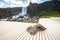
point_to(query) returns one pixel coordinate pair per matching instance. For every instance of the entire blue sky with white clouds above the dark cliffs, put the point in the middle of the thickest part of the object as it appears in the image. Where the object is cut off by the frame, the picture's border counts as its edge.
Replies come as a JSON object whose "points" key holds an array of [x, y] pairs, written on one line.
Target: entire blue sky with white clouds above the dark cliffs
{"points": [[18, 3]]}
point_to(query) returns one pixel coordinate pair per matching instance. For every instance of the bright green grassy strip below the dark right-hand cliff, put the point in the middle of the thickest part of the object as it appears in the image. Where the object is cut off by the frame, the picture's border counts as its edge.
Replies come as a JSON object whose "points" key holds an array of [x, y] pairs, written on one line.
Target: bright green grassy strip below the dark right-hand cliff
{"points": [[45, 14]]}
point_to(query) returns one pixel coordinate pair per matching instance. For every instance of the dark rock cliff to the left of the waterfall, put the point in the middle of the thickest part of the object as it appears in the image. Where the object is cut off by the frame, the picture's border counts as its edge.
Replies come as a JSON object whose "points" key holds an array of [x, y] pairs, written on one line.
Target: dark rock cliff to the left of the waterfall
{"points": [[9, 12]]}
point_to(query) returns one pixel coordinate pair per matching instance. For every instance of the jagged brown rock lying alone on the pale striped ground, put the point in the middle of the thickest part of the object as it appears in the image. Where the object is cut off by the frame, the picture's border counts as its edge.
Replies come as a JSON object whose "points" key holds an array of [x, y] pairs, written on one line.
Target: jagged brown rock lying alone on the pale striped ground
{"points": [[33, 30]]}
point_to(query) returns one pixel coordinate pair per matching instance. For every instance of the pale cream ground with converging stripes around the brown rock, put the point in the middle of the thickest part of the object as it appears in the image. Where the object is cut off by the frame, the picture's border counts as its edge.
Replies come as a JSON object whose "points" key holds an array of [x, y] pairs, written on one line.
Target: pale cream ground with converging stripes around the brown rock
{"points": [[17, 30]]}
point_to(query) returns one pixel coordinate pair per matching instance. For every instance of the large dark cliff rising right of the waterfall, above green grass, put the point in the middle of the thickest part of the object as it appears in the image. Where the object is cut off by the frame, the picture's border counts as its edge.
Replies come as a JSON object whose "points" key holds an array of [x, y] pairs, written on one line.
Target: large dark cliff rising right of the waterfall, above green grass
{"points": [[50, 6]]}
